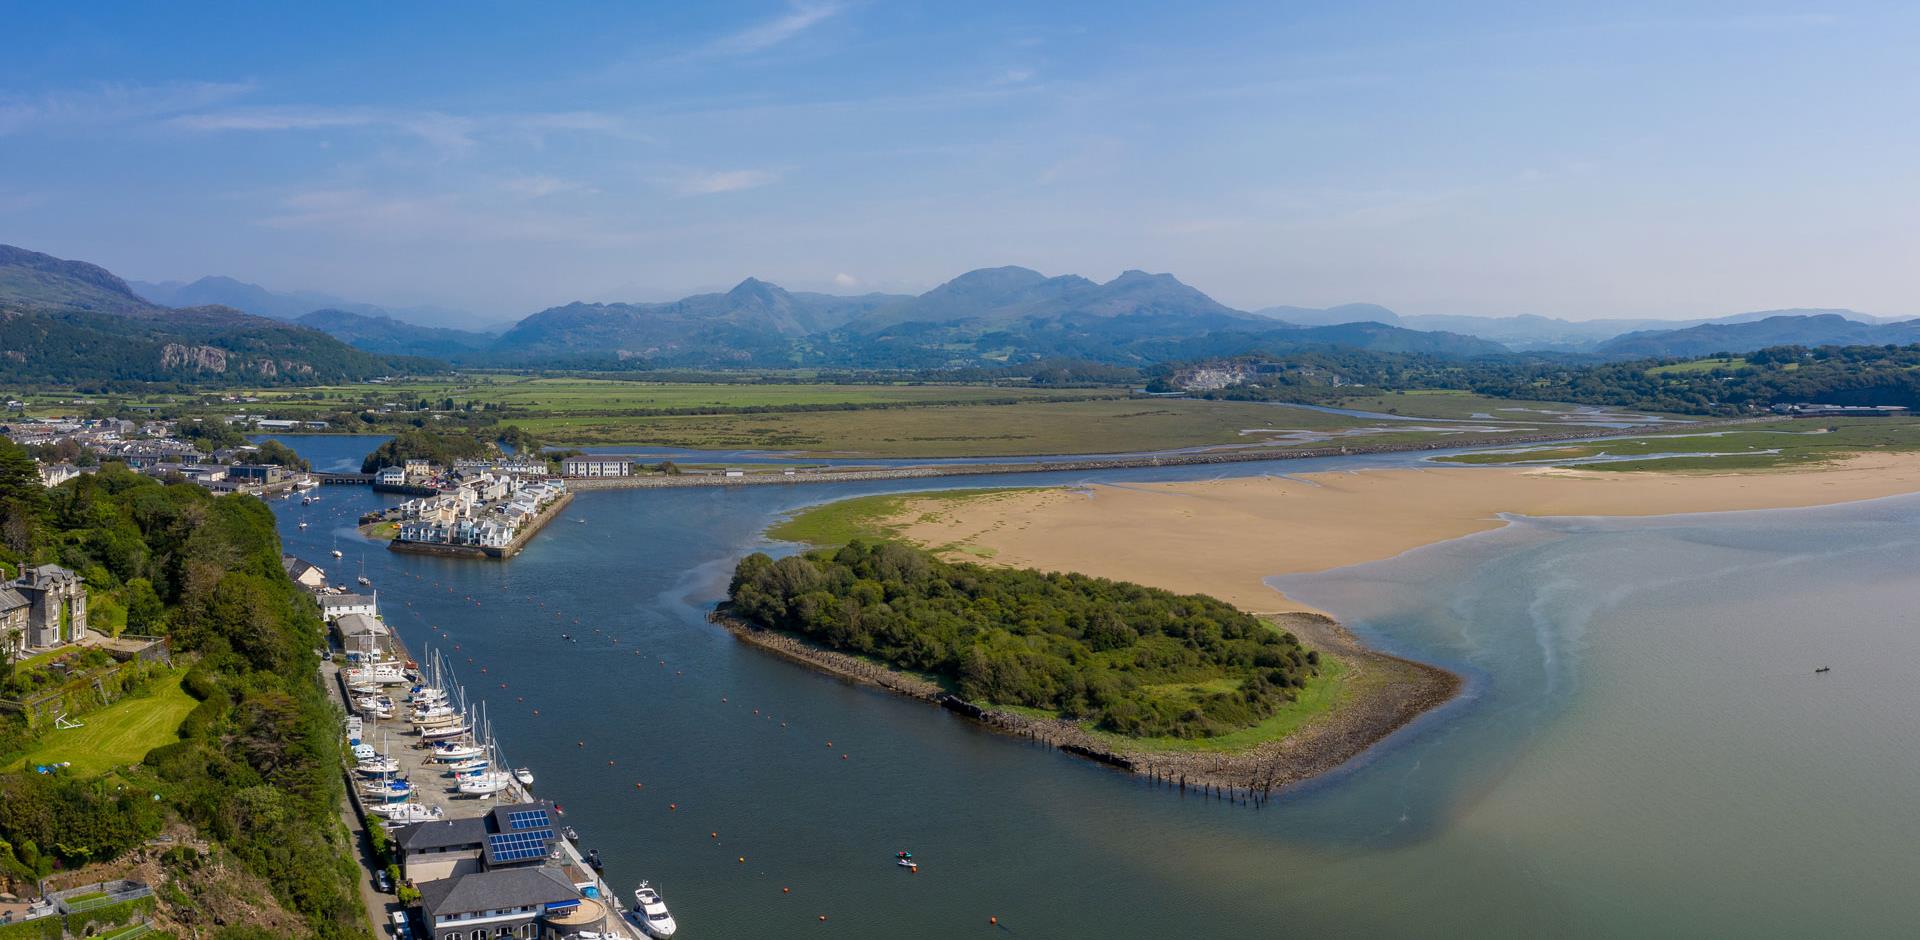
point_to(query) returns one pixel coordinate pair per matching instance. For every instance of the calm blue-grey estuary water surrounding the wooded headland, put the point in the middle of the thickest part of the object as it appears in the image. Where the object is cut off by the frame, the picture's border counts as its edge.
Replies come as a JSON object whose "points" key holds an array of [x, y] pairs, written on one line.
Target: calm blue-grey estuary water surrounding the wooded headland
{"points": [[1644, 747]]}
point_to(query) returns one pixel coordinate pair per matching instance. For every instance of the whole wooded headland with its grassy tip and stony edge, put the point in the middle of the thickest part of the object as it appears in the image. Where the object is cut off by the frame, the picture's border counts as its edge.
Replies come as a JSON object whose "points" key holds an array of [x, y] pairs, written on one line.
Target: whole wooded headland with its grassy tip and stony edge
{"points": [[1184, 688]]}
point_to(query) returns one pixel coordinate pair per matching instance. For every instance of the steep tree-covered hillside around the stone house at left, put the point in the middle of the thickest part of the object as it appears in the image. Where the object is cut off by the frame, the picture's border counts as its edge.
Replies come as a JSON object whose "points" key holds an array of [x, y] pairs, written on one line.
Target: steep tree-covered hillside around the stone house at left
{"points": [[256, 768]]}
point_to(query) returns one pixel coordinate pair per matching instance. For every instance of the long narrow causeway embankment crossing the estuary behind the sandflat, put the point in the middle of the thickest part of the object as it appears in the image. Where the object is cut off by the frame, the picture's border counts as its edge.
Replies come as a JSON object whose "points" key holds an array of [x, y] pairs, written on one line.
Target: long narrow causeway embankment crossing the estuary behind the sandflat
{"points": [[1130, 461]]}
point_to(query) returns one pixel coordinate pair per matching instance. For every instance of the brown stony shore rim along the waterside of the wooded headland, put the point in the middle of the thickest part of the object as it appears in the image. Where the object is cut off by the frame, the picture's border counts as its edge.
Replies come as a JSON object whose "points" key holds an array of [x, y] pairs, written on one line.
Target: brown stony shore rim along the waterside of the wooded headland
{"points": [[1370, 713]]}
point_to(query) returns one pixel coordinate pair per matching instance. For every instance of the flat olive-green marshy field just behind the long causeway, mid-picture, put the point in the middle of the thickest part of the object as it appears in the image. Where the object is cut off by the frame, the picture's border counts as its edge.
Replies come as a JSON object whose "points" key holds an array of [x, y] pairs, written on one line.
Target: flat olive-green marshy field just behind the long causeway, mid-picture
{"points": [[961, 431]]}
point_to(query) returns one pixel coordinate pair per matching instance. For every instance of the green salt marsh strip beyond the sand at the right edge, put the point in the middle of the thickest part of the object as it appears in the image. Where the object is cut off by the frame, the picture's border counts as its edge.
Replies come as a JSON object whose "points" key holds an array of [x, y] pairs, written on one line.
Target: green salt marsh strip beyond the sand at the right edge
{"points": [[1804, 442]]}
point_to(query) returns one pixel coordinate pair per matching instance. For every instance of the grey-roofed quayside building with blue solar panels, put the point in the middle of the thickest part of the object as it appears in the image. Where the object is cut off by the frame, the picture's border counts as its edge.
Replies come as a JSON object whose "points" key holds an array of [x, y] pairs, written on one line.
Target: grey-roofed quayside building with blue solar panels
{"points": [[494, 876]]}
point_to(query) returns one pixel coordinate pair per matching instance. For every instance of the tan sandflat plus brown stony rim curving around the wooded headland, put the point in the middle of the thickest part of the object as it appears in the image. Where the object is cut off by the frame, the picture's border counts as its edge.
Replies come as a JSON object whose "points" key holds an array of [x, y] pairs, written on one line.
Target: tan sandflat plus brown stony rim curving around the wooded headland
{"points": [[1226, 538]]}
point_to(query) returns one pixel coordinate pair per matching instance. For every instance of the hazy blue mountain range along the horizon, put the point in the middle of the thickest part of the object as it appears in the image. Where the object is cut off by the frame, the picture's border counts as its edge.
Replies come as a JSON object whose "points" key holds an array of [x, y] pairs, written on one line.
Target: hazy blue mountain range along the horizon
{"points": [[1003, 316]]}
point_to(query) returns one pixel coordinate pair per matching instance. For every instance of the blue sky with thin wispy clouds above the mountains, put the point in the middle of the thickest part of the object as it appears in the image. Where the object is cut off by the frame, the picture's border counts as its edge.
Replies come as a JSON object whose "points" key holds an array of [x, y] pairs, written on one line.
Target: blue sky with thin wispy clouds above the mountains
{"points": [[1570, 160]]}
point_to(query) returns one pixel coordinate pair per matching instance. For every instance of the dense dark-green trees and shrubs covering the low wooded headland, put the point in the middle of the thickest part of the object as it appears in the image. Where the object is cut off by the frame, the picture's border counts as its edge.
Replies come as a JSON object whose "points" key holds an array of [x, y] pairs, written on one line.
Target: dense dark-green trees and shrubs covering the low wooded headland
{"points": [[1122, 657]]}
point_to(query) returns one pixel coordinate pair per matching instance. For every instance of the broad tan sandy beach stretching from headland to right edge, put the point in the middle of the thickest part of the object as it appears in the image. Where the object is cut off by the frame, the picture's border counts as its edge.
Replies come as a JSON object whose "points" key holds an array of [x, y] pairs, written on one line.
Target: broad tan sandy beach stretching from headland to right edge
{"points": [[1224, 538]]}
